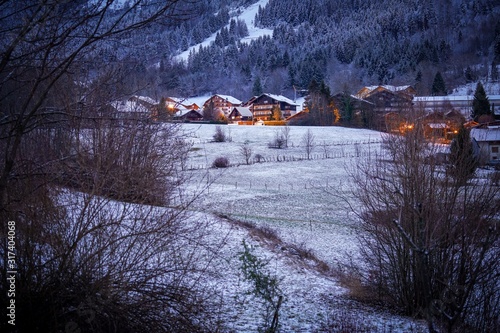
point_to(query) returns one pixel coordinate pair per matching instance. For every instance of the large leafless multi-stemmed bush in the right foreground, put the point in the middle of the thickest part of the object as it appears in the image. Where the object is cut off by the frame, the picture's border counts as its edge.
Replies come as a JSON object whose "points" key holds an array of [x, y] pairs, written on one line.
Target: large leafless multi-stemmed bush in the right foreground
{"points": [[430, 241]]}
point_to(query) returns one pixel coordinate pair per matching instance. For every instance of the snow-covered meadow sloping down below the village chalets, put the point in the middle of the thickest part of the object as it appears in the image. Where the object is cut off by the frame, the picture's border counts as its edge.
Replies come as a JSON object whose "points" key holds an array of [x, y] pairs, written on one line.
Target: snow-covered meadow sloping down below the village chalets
{"points": [[301, 200]]}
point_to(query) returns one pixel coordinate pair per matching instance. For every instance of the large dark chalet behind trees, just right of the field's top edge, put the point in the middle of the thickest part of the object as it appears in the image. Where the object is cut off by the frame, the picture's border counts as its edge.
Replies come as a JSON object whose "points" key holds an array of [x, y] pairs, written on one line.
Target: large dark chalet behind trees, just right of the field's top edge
{"points": [[387, 100]]}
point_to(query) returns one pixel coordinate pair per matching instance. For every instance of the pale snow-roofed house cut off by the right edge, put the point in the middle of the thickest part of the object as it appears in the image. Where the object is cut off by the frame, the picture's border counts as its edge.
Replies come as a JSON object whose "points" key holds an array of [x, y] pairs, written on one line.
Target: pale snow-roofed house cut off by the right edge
{"points": [[487, 140]]}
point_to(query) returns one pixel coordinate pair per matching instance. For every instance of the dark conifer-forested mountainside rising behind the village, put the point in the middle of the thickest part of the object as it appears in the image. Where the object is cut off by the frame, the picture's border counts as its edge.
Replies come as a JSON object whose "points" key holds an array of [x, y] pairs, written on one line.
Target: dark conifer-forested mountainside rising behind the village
{"points": [[225, 46]]}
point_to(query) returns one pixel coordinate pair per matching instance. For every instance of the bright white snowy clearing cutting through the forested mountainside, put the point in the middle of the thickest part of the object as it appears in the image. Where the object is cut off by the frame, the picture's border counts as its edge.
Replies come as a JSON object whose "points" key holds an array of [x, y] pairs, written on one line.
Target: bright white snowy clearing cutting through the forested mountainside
{"points": [[245, 14]]}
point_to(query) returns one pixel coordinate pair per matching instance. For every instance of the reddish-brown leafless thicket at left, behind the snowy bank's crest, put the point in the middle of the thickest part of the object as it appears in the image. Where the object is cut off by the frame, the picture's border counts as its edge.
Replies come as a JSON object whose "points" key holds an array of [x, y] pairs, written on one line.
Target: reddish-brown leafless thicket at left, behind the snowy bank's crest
{"points": [[133, 163]]}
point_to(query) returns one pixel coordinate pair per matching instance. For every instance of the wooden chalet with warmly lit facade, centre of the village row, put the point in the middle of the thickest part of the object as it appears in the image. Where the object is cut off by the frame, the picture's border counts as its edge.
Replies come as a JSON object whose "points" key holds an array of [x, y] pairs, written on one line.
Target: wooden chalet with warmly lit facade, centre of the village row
{"points": [[263, 106]]}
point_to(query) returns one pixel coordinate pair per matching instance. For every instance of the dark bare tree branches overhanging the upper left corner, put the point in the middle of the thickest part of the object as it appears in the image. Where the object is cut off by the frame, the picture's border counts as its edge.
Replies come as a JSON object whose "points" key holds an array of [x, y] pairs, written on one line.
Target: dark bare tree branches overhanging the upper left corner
{"points": [[44, 45]]}
